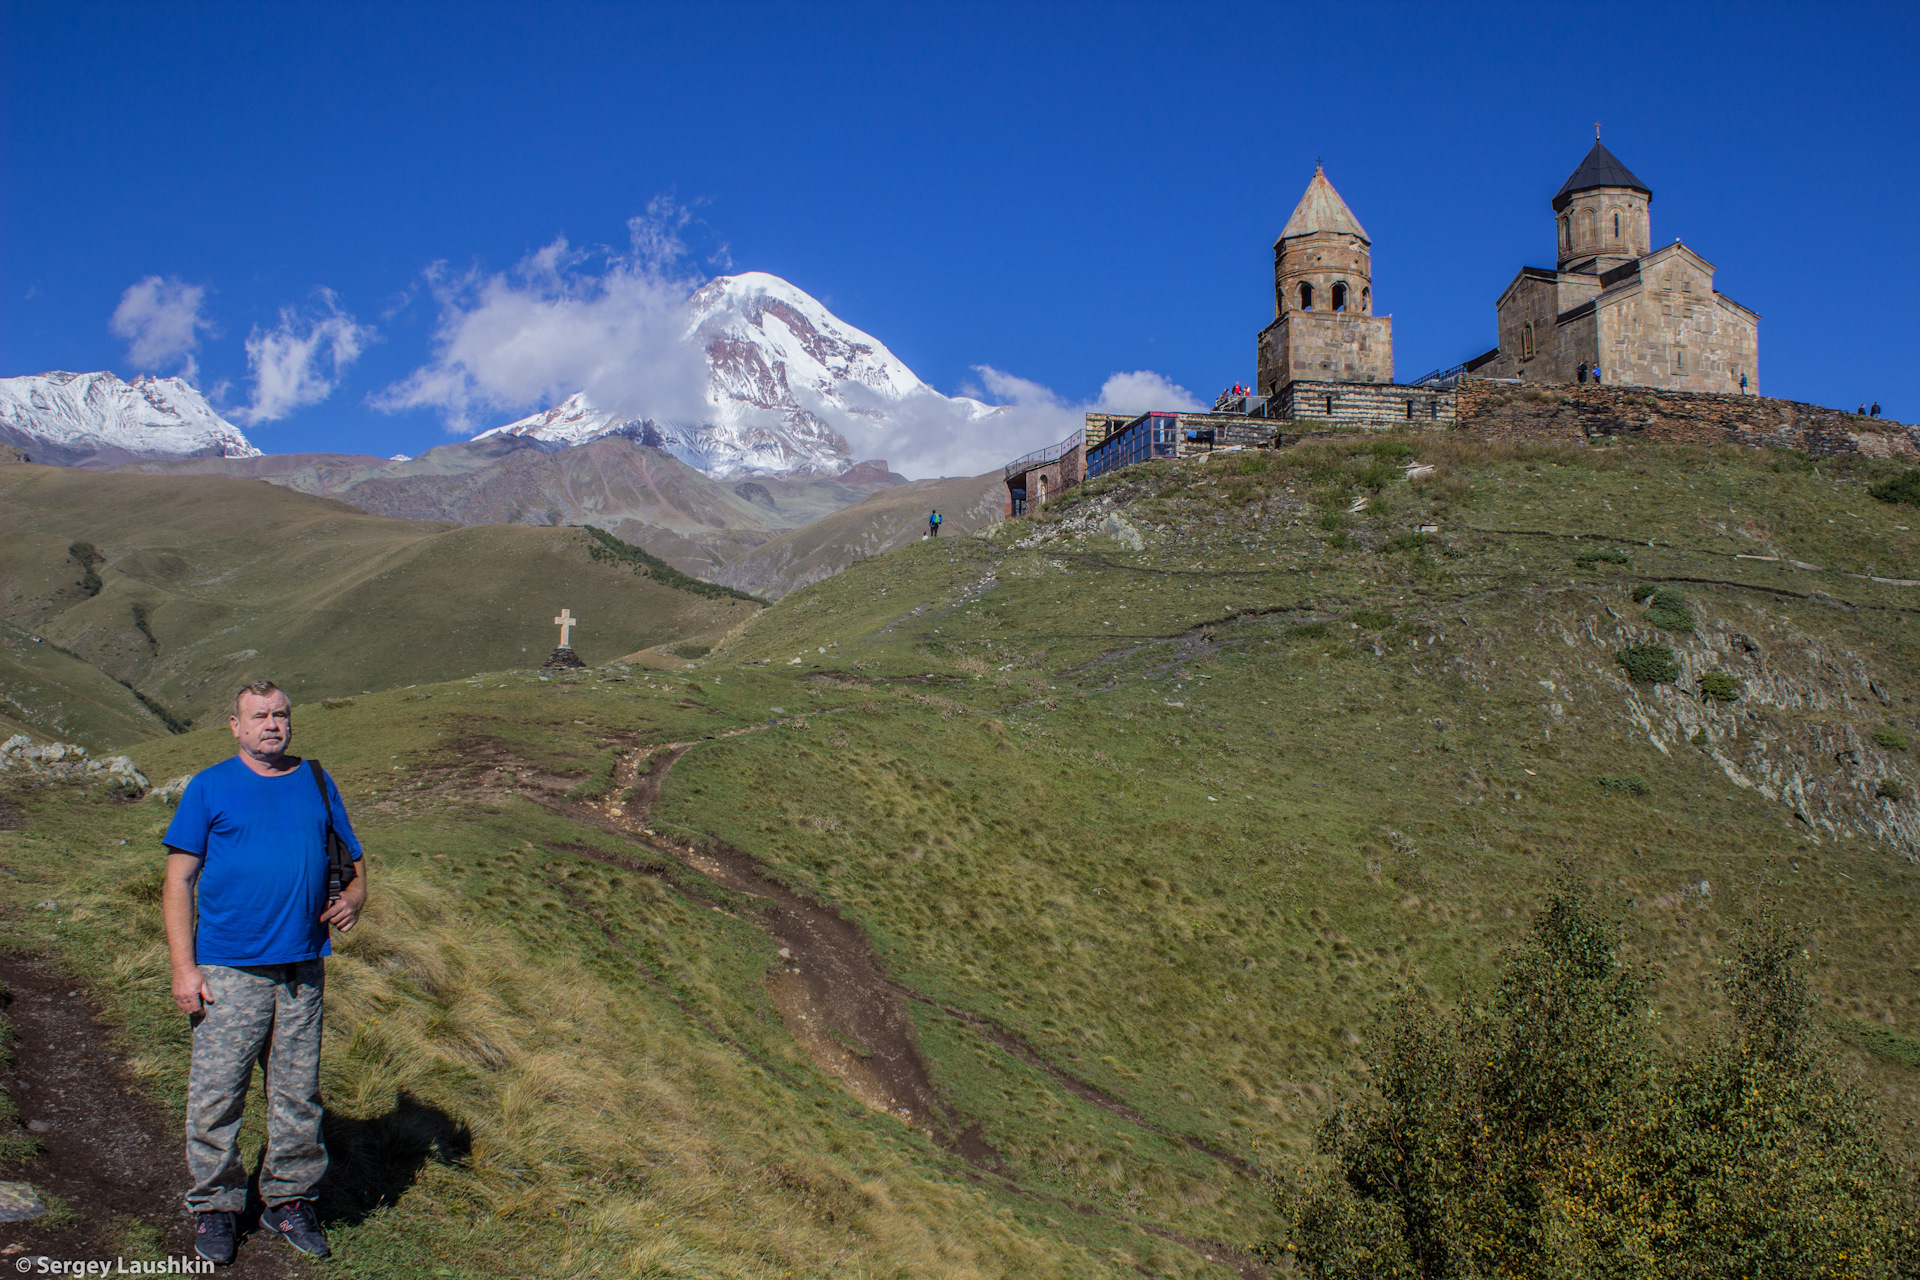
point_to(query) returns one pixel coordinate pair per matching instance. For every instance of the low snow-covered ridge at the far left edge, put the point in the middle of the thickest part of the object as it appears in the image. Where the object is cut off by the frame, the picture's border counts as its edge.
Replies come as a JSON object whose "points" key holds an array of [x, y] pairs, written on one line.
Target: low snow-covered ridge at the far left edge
{"points": [[60, 417]]}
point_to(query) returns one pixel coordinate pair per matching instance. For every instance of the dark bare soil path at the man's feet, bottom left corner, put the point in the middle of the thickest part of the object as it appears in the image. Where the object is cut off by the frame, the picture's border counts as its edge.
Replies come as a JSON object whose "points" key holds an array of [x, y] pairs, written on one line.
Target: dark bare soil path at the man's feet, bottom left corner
{"points": [[107, 1152]]}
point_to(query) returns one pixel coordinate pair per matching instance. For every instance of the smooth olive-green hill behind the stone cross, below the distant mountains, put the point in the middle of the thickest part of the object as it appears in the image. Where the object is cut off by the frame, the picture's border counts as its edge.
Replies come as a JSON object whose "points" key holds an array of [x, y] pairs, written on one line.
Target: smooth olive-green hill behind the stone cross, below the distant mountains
{"points": [[185, 588]]}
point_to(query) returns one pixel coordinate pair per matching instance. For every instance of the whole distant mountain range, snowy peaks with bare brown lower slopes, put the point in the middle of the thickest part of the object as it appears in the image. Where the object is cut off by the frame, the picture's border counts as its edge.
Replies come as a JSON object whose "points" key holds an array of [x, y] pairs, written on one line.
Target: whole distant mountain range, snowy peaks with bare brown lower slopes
{"points": [[786, 385]]}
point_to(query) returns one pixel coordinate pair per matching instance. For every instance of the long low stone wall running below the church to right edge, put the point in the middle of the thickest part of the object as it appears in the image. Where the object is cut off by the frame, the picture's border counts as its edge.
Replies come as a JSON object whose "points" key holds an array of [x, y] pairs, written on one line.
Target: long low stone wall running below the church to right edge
{"points": [[1583, 412]]}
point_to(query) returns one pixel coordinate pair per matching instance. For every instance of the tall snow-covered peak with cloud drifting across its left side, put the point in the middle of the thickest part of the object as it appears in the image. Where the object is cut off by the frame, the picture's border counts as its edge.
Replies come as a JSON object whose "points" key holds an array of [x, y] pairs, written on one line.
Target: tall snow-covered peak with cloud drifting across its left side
{"points": [[786, 379]]}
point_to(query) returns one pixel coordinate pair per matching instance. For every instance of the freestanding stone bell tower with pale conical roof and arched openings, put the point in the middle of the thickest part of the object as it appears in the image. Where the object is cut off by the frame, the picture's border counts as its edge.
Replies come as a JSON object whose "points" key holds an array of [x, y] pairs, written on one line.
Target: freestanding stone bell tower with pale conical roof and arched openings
{"points": [[1324, 327]]}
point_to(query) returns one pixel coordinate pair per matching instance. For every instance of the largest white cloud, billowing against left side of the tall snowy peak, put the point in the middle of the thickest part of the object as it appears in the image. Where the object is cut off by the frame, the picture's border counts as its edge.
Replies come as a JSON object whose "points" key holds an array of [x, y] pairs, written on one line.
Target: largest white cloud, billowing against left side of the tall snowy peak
{"points": [[552, 327]]}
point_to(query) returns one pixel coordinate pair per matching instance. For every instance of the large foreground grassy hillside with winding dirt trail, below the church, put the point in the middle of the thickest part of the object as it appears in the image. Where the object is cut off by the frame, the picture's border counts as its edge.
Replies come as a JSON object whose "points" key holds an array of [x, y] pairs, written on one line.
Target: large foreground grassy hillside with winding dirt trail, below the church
{"points": [[1097, 847]]}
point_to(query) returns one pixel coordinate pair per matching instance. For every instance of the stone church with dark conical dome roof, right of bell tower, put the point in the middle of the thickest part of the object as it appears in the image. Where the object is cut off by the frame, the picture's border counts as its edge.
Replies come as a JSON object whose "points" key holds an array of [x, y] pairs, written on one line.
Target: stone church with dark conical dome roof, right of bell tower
{"points": [[1618, 312]]}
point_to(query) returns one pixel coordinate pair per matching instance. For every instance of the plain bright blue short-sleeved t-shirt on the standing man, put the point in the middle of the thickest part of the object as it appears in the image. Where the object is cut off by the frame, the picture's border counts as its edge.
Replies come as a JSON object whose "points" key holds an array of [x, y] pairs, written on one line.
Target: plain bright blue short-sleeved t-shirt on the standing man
{"points": [[264, 863]]}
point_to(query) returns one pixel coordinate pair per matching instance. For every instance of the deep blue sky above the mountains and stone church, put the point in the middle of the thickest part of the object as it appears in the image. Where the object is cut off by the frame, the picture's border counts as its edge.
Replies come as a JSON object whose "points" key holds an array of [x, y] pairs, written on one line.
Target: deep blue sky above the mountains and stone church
{"points": [[1053, 191]]}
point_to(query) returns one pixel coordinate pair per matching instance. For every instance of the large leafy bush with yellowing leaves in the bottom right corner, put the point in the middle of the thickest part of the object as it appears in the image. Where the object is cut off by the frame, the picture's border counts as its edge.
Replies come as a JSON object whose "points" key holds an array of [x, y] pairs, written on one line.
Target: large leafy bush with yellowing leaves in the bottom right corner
{"points": [[1537, 1133]]}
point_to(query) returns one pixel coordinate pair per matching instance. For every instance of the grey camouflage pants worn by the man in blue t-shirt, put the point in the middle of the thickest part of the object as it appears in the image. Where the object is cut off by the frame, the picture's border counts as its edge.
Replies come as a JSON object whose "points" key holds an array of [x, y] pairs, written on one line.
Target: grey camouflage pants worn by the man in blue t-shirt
{"points": [[268, 1014]]}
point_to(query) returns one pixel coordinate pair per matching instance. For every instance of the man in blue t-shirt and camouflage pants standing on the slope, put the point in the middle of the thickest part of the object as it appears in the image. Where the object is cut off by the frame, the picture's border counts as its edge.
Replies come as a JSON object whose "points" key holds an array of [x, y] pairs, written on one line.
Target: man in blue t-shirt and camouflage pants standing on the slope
{"points": [[251, 836]]}
